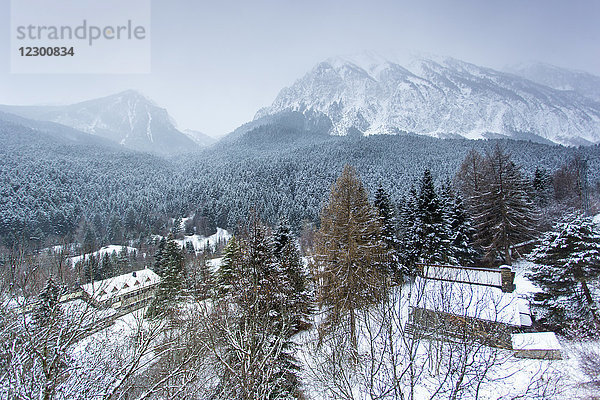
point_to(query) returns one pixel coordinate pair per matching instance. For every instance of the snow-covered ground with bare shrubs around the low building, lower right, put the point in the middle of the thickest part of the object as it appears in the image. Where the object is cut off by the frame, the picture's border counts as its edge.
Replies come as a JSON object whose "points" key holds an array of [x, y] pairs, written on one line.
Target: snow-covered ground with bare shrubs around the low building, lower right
{"points": [[508, 377]]}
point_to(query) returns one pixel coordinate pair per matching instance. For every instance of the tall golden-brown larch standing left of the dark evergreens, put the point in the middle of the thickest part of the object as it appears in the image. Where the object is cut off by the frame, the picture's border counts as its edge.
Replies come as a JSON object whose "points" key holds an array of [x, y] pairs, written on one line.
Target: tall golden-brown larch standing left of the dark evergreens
{"points": [[348, 248]]}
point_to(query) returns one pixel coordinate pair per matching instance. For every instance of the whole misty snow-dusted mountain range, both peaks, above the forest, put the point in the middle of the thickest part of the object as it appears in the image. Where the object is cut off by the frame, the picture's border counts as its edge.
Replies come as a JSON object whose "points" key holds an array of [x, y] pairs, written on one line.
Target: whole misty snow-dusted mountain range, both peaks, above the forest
{"points": [[367, 94]]}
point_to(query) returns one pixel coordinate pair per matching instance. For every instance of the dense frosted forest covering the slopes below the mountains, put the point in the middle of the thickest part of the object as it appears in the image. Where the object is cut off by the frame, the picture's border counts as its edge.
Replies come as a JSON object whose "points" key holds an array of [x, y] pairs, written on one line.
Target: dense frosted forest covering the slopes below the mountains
{"points": [[52, 188]]}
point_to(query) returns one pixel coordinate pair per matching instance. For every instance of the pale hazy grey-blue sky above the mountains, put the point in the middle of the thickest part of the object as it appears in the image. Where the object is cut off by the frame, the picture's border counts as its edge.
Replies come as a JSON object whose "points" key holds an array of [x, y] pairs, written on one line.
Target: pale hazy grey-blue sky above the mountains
{"points": [[214, 64]]}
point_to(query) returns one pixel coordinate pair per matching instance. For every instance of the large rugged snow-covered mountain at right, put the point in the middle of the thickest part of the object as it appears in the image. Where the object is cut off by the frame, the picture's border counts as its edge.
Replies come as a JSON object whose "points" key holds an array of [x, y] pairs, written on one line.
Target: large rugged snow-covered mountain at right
{"points": [[370, 94]]}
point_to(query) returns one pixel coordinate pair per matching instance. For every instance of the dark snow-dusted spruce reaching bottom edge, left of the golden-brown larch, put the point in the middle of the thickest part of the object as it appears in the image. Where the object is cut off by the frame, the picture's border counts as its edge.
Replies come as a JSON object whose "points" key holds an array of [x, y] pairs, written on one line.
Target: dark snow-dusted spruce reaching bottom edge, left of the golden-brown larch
{"points": [[259, 350]]}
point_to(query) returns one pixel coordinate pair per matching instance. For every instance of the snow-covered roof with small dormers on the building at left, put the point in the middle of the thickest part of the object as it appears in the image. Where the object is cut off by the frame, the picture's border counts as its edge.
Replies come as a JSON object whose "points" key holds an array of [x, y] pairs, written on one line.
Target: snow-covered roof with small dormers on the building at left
{"points": [[120, 285]]}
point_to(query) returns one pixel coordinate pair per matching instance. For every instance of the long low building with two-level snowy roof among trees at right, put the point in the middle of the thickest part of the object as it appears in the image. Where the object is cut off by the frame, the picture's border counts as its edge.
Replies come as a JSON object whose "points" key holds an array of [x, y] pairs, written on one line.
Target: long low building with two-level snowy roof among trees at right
{"points": [[468, 303]]}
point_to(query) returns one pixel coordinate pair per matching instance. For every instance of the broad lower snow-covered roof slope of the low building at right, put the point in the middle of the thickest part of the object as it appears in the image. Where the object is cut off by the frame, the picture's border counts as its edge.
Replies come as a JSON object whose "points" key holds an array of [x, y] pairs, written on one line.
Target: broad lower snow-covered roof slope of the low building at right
{"points": [[475, 301]]}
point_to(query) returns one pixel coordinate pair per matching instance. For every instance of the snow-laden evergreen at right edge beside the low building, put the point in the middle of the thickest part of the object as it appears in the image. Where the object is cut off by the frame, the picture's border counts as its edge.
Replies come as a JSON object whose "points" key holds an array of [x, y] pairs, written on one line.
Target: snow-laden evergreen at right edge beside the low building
{"points": [[568, 272]]}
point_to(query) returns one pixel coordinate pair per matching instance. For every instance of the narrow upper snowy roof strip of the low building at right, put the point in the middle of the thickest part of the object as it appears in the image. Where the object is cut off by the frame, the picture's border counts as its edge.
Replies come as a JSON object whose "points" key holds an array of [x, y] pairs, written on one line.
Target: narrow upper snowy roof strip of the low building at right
{"points": [[480, 276]]}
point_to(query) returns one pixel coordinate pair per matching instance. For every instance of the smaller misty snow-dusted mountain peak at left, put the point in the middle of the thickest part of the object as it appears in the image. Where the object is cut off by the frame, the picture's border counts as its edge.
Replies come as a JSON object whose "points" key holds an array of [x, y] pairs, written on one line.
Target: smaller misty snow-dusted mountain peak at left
{"points": [[127, 118]]}
